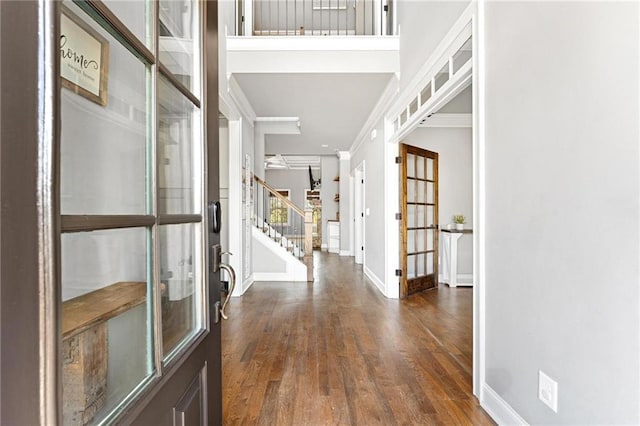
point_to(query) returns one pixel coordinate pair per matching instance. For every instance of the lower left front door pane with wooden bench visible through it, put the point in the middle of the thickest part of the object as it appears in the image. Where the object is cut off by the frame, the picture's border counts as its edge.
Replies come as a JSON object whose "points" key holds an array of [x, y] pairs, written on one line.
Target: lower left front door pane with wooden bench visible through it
{"points": [[106, 326]]}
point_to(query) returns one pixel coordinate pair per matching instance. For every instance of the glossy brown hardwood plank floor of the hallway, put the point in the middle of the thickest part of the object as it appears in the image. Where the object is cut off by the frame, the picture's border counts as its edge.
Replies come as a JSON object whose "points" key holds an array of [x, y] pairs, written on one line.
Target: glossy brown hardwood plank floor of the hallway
{"points": [[337, 352]]}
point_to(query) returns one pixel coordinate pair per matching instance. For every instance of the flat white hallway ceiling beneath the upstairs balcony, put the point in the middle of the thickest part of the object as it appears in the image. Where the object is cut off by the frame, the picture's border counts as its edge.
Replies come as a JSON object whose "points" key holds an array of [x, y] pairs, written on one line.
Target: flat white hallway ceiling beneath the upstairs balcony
{"points": [[332, 107]]}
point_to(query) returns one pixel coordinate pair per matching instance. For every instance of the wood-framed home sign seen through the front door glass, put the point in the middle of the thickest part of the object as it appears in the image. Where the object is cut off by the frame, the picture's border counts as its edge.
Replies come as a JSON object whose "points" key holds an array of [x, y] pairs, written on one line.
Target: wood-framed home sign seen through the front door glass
{"points": [[84, 58]]}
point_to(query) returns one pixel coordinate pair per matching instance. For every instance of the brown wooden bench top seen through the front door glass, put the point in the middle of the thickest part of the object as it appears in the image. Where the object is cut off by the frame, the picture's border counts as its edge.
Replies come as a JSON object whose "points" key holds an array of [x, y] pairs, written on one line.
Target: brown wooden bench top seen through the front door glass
{"points": [[83, 312]]}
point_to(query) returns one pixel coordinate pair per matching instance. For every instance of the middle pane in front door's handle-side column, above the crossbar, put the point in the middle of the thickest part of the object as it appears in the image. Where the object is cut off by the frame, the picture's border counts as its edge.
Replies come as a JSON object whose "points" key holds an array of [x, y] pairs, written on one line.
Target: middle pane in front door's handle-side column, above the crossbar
{"points": [[177, 130]]}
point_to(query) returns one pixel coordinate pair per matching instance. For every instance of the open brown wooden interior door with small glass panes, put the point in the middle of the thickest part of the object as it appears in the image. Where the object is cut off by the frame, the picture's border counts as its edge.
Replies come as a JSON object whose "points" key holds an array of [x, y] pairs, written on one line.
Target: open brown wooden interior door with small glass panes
{"points": [[419, 224]]}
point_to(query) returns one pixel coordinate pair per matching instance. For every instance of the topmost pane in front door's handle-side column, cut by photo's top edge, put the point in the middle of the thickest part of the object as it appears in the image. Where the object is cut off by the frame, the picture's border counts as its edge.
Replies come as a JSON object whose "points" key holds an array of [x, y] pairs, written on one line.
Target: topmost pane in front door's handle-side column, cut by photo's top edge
{"points": [[179, 43]]}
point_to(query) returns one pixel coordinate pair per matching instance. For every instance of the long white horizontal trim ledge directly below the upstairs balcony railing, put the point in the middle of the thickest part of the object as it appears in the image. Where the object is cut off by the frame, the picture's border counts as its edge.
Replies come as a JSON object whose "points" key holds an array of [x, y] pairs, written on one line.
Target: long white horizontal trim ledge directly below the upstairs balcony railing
{"points": [[313, 43]]}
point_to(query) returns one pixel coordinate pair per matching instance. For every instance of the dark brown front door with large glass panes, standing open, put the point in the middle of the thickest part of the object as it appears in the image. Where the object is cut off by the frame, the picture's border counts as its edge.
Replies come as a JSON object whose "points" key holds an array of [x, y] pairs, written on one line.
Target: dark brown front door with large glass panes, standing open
{"points": [[121, 130]]}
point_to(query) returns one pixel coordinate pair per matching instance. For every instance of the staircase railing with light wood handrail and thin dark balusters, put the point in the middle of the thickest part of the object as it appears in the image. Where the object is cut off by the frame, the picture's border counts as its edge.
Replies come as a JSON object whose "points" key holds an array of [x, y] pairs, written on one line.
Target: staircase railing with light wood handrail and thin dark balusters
{"points": [[284, 222]]}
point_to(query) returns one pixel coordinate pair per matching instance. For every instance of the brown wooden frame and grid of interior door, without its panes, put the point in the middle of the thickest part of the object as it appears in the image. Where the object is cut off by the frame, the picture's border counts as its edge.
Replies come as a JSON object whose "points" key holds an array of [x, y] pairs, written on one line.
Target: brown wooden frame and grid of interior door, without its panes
{"points": [[408, 287]]}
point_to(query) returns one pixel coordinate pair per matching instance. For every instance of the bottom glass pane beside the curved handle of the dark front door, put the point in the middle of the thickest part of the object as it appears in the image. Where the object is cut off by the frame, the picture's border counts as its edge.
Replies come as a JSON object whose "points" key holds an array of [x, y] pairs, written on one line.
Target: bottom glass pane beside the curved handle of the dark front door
{"points": [[181, 289]]}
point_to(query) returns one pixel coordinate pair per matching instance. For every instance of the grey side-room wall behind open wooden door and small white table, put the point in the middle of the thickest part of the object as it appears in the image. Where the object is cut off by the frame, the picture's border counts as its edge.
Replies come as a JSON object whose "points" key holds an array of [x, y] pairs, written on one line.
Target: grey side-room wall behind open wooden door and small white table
{"points": [[455, 181]]}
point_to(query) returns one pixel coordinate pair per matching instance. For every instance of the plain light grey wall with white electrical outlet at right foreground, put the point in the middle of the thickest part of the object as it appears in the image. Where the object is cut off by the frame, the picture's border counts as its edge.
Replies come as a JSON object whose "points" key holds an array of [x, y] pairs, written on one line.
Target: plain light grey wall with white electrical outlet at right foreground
{"points": [[562, 208]]}
